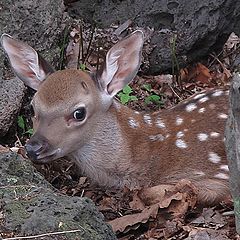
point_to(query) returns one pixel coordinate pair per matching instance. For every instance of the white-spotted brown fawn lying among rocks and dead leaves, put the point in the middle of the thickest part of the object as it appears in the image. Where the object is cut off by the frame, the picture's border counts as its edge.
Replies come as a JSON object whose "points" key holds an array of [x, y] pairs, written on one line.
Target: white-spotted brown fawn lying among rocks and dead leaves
{"points": [[77, 116]]}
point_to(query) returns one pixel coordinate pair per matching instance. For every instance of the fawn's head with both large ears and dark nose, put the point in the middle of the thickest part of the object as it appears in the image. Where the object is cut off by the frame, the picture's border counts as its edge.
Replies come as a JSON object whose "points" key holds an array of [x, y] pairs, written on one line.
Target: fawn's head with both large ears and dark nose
{"points": [[68, 103]]}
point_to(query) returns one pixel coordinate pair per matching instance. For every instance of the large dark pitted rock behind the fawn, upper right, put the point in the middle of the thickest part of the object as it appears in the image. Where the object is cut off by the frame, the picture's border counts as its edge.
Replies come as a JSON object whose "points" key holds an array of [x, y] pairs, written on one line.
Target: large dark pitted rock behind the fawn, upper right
{"points": [[199, 27]]}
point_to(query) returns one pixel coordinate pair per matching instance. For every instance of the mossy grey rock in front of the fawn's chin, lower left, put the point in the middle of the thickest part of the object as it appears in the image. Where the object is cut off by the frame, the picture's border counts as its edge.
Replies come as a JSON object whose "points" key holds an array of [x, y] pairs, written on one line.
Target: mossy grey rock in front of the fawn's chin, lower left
{"points": [[31, 206]]}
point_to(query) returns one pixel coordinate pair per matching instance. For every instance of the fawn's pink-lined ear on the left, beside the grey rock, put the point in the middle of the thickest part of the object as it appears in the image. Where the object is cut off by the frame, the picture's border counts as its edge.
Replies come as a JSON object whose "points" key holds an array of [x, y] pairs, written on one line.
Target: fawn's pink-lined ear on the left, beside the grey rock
{"points": [[26, 63]]}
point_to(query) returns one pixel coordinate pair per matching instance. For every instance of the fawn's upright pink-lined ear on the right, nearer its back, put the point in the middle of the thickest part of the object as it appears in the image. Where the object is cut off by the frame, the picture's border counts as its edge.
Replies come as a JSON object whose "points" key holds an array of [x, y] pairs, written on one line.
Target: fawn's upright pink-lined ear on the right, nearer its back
{"points": [[122, 63]]}
